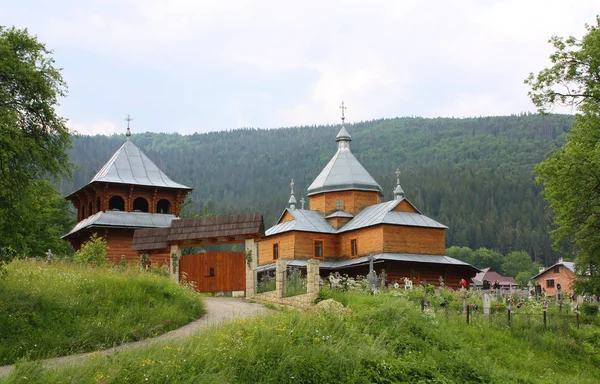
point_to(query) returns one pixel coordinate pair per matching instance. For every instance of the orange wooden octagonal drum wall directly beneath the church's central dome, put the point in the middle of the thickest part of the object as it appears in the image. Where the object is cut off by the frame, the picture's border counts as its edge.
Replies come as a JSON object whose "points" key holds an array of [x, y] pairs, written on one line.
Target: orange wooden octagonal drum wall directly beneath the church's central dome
{"points": [[353, 201]]}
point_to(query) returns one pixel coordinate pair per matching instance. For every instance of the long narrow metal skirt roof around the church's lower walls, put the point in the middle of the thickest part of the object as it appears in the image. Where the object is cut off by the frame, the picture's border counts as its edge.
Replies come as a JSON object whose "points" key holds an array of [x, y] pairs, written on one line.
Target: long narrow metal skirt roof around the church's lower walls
{"points": [[381, 257]]}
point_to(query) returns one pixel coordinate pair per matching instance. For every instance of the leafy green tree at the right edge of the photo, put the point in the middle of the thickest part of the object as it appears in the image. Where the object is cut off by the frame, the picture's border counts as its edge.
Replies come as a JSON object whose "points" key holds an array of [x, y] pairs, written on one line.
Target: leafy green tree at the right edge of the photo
{"points": [[571, 174]]}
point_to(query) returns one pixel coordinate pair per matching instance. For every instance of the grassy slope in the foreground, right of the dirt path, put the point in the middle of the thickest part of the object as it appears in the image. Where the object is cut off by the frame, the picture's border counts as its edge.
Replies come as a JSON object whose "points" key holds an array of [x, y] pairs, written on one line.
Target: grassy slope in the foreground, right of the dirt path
{"points": [[385, 339]]}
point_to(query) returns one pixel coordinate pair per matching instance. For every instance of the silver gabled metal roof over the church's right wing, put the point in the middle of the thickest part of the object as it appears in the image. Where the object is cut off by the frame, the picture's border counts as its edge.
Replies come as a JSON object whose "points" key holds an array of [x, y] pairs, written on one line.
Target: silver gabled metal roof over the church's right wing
{"points": [[383, 214]]}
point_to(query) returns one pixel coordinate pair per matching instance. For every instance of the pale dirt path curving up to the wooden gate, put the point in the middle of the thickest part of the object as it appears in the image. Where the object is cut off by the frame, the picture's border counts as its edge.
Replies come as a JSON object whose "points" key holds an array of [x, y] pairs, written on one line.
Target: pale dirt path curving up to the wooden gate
{"points": [[219, 310]]}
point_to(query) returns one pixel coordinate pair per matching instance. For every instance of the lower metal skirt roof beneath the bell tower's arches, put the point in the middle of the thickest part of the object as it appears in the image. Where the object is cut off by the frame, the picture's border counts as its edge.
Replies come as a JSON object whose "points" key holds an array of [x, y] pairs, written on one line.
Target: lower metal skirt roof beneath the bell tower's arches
{"points": [[120, 219]]}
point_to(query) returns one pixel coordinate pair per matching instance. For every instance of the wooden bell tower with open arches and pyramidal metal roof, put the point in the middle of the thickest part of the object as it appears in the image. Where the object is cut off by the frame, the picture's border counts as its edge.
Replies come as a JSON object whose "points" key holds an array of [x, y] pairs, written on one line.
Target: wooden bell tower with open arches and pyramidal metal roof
{"points": [[129, 192]]}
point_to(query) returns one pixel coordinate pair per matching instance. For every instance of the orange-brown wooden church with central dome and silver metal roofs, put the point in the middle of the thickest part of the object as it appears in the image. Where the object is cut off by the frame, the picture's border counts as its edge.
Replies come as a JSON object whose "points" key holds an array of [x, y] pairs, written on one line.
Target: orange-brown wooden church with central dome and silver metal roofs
{"points": [[348, 224]]}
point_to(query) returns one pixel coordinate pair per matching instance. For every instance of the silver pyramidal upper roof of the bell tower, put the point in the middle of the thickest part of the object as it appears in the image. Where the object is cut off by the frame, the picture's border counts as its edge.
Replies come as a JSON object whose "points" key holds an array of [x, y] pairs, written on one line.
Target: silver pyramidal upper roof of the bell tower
{"points": [[129, 165]]}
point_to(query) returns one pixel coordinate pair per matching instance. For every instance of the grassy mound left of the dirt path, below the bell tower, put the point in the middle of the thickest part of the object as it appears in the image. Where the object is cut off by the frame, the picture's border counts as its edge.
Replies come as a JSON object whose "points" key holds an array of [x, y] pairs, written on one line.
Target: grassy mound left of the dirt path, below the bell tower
{"points": [[61, 309]]}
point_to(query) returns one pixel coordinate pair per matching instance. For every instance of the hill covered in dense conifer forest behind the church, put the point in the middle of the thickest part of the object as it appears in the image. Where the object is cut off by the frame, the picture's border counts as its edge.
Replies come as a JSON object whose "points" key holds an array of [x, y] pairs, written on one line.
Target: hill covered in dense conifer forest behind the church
{"points": [[474, 175]]}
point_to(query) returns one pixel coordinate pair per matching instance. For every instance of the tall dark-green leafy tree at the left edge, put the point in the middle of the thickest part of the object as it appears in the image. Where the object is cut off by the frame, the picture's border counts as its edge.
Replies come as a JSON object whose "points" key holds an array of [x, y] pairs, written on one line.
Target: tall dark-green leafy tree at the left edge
{"points": [[33, 138]]}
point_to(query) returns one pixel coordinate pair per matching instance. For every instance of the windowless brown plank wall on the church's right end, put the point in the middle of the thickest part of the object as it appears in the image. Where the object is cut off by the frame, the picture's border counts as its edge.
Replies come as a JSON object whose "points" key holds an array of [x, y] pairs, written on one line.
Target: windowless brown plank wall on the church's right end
{"points": [[404, 239]]}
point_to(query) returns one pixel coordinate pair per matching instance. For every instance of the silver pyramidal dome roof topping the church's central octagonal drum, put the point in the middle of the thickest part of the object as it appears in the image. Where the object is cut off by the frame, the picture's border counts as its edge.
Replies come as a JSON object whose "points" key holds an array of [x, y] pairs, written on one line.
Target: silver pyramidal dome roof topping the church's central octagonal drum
{"points": [[343, 172]]}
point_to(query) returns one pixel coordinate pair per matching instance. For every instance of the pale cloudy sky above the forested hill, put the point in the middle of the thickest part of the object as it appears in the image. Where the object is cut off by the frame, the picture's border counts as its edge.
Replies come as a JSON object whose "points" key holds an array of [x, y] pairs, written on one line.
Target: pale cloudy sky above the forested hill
{"points": [[199, 66]]}
